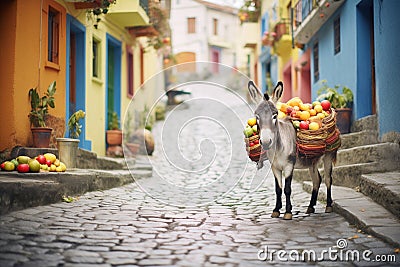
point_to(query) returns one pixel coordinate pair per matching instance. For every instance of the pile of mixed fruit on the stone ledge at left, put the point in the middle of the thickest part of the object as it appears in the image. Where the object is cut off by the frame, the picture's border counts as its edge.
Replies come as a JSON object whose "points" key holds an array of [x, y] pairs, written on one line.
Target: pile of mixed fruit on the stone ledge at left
{"points": [[41, 163]]}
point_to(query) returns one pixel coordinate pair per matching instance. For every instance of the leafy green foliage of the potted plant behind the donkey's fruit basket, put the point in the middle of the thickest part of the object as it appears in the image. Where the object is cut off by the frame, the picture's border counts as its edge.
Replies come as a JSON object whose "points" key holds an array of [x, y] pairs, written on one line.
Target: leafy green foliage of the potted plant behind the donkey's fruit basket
{"points": [[343, 99]]}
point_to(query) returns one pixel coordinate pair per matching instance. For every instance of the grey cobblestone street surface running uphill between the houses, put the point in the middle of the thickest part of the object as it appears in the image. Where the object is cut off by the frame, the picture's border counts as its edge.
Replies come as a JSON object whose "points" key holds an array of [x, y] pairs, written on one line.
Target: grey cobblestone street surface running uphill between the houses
{"points": [[182, 220]]}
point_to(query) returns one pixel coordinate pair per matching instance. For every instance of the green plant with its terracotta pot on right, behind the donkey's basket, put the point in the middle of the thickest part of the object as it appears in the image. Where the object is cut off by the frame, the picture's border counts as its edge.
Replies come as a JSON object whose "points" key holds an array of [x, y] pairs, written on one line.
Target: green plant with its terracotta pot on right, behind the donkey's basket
{"points": [[341, 101]]}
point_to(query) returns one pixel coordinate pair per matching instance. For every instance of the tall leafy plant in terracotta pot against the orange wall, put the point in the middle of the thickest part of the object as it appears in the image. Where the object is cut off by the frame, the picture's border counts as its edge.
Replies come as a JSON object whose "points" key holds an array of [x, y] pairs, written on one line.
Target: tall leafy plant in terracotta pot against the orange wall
{"points": [[37, 116]]}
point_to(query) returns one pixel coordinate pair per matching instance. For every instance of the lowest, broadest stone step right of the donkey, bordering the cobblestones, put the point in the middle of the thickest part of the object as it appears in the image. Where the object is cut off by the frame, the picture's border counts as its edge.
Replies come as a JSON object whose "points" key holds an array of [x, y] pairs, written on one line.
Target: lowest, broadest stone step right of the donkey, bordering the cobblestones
{"points": [[363, 212]]}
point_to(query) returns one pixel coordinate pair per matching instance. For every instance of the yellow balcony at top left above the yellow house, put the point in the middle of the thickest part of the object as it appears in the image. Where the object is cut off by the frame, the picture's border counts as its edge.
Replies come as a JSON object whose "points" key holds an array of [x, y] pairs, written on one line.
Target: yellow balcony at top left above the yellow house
{"points": [[130, 13]]}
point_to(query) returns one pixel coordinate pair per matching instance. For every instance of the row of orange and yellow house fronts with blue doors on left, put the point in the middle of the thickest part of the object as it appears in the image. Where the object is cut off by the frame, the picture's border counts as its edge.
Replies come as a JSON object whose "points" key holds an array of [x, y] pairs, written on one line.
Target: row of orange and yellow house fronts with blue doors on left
{"points": [[98, 62]]}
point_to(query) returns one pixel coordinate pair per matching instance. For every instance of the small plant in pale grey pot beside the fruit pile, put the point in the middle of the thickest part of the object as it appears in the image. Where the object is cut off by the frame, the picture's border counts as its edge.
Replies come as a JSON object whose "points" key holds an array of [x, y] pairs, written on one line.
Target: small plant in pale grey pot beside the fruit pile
{"points": [[68, 147]]}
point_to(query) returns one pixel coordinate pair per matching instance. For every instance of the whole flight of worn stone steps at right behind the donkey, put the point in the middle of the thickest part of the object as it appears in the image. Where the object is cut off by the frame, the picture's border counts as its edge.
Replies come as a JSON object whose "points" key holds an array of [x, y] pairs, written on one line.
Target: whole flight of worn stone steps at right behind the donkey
{"points": [[366, 181]]}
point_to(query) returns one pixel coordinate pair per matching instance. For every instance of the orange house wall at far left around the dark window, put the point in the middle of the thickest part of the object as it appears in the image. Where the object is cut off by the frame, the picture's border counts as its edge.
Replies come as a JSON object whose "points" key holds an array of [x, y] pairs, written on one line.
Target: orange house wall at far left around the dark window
{"points": [[23, 66]]}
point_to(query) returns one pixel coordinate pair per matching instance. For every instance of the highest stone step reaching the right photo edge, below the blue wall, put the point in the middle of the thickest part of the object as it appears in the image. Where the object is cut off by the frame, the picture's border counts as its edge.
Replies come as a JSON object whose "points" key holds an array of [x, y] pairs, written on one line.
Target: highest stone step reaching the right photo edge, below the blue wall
{"points": [[387, 152]]}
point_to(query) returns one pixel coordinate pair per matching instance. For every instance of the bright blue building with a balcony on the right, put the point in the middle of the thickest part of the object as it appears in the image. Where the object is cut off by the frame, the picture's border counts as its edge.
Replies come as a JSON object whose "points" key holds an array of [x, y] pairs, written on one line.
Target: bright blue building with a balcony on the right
{"points": [[353, 43]]}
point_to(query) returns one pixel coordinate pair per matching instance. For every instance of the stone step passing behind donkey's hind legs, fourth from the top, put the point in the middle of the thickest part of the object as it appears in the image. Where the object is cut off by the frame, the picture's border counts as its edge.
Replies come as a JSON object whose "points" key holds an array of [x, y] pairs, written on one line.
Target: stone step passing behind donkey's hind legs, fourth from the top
{"points": [[348, 175]]}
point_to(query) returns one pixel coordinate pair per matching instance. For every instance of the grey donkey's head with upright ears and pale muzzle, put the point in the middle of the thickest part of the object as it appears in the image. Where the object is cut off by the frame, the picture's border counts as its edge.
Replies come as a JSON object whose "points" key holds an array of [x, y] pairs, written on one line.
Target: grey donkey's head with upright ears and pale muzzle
{"points": [[266, 113]]}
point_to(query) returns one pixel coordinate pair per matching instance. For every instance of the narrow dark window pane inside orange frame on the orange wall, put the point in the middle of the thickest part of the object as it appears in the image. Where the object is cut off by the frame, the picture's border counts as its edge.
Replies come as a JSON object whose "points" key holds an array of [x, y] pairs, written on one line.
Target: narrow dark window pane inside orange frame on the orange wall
{"points": [[53, 35]]}
